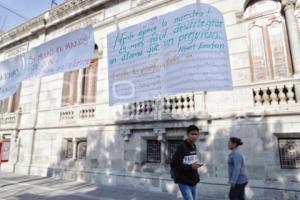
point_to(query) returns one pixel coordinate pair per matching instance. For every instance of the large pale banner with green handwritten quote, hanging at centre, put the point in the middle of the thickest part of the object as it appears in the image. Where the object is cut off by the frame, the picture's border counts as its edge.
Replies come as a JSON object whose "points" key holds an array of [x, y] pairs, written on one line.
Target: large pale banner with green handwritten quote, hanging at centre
{"points": [[182, 51]]}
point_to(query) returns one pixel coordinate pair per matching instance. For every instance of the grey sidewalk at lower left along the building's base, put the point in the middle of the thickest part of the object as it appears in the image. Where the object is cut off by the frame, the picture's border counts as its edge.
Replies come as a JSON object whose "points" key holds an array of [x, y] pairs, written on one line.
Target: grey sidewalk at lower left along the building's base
{"points": [[20, 187]]}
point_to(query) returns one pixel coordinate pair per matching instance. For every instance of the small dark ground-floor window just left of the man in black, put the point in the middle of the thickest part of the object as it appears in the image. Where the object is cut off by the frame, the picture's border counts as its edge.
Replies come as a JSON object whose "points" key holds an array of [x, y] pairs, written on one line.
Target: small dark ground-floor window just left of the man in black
{"points": [[153, 151]]}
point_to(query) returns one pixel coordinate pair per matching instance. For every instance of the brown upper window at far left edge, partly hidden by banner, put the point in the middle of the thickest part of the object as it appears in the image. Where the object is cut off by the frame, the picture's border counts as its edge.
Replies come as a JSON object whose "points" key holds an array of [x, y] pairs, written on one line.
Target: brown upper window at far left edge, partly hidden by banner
{"points": [[11, 104]]}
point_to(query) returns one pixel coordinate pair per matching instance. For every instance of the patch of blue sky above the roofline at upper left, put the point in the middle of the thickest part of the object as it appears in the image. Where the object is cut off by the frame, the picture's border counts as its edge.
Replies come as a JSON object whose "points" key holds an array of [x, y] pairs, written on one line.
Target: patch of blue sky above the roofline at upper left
{"points": [[26, 8]]}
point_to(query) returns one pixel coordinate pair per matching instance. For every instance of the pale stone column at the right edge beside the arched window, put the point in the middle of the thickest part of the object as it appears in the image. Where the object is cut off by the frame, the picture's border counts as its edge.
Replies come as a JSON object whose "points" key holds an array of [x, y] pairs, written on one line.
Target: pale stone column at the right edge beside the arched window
{"points": [[294, 38]]}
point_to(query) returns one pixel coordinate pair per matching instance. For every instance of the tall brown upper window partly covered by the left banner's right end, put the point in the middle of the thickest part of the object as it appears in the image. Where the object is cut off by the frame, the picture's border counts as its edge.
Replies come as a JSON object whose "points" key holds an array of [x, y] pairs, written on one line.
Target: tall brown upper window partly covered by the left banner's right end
{"points": [[84, 80]]}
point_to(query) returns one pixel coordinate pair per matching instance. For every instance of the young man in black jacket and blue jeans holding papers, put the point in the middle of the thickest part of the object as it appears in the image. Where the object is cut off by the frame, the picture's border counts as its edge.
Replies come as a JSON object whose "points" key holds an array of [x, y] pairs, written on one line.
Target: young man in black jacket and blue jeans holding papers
{"points": [[185, 164]]}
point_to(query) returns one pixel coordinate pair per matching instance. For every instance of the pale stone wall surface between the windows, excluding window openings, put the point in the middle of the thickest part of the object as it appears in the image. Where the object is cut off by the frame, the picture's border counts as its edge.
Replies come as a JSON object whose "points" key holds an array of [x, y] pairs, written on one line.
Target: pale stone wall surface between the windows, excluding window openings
{"points": [[116, 142]]}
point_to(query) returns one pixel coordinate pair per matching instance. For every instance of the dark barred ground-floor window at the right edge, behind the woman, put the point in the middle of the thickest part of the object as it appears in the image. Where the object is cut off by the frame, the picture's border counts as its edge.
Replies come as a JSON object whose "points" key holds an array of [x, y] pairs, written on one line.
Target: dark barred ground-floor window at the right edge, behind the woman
{"points": [[289, 152]]}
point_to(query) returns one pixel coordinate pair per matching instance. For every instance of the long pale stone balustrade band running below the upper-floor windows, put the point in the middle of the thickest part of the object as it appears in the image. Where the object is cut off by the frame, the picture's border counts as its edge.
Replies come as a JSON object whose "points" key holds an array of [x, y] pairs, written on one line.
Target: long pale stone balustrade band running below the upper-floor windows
{"points": [[273, 97]]}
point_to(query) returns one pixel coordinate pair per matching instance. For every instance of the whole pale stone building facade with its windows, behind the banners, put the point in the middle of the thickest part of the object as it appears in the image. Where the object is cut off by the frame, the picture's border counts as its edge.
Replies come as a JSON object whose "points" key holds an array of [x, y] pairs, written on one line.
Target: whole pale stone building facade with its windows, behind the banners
{"points": [[54, 130]]}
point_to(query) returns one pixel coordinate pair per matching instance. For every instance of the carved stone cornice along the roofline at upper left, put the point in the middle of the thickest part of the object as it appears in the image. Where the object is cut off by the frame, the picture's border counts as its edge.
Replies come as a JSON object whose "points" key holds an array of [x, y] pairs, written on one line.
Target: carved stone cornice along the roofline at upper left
{"points": [[66, 14]]}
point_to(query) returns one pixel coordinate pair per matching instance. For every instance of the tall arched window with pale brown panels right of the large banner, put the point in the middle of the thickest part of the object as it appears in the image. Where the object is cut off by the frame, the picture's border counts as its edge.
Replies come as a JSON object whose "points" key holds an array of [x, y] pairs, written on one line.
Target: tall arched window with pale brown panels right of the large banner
{"points": [[268, 42]]}
